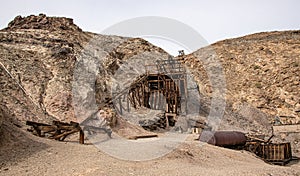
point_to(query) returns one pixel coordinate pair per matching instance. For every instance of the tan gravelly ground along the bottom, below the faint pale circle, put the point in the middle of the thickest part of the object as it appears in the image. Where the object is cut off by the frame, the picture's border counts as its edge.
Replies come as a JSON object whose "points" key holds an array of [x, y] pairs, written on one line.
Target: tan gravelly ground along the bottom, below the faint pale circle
{"points": [[37, 156]]}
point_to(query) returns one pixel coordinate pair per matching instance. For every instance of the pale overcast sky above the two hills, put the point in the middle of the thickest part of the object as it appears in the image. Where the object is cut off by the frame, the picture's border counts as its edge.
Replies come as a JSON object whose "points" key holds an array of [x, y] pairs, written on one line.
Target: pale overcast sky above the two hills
{"points": [[214, 20]]}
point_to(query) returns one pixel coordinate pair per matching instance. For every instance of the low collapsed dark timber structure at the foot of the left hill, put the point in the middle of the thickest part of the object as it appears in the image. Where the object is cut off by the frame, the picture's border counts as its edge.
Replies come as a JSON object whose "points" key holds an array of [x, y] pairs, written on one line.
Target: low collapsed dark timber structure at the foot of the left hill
{"points": [[58, 130]]}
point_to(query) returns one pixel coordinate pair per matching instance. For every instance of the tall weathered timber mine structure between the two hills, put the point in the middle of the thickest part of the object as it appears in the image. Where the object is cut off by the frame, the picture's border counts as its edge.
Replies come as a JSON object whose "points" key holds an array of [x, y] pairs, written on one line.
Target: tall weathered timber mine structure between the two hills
{"points": [[163, 86]]}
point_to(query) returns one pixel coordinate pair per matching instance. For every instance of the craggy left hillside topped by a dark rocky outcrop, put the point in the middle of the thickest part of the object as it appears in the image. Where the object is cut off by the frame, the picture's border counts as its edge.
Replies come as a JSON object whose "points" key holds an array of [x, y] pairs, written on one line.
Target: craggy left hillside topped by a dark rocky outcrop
{"points": [[38, 58]]}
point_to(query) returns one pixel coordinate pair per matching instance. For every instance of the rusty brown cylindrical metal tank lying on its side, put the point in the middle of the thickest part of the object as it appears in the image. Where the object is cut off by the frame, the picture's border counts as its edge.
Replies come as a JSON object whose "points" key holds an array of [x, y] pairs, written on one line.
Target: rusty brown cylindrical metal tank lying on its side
{"points": [[223, 138]]}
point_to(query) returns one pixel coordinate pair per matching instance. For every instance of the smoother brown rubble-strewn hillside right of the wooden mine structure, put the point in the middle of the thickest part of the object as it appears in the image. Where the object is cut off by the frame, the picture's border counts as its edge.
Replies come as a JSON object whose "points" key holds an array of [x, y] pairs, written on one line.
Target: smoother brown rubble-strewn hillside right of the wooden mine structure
{"points": [[262, 71]]}
